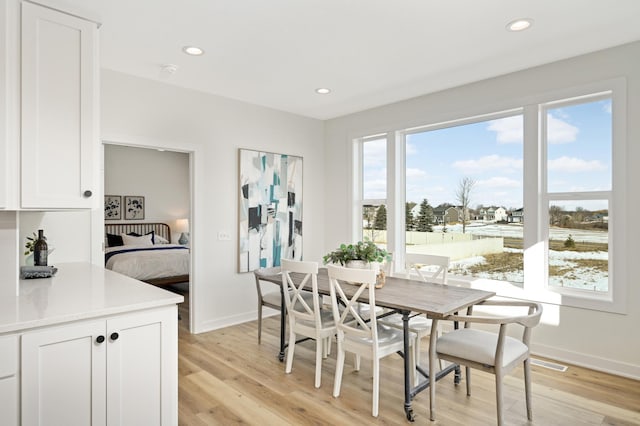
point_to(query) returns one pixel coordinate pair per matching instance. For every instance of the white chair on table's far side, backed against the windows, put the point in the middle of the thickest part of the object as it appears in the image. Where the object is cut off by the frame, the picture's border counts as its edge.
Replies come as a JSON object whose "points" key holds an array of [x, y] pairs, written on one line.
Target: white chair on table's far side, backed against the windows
{"points": [[428, 268]]}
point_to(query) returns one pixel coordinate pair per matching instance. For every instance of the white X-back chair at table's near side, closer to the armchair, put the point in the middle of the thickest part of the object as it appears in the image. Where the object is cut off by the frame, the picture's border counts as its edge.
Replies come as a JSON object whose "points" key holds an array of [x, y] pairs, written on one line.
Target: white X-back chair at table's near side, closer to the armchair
{"points": [[358, 335]]}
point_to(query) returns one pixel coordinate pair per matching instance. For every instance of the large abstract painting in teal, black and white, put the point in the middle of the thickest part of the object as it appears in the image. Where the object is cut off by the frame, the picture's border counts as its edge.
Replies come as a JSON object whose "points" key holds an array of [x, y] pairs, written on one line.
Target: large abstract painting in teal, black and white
{"points": [[270, 223]]}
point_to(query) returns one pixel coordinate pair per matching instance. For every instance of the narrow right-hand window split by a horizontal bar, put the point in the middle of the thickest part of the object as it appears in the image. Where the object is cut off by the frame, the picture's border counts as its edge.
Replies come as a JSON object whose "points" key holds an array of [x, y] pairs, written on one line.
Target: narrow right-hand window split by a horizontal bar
{"points": [[578, 139]]}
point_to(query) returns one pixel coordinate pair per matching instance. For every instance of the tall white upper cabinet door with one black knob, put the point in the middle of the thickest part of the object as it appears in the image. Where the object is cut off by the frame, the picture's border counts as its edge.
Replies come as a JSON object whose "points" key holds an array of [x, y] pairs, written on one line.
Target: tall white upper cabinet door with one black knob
{"points": [[59, 110]]}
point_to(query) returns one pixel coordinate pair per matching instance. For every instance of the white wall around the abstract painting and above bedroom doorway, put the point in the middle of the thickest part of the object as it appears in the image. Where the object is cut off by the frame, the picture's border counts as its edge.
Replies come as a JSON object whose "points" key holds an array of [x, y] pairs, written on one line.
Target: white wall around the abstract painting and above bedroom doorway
{"points": [[146, 113]]}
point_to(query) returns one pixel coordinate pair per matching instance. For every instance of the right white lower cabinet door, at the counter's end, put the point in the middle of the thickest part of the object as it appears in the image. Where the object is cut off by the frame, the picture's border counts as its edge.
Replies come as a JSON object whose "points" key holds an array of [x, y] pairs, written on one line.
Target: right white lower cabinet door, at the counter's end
{"points": [[142, 379]]}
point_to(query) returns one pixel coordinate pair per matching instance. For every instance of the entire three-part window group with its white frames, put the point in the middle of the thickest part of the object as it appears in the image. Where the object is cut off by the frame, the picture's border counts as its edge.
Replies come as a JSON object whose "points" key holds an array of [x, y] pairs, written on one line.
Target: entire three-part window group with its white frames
{"points": [[522, 200]]}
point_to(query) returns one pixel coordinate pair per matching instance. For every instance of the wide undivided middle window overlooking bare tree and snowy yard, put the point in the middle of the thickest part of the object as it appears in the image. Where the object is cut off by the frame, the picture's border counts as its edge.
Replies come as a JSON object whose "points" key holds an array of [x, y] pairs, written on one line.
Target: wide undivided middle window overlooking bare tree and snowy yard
{"points": [[464, 196]]}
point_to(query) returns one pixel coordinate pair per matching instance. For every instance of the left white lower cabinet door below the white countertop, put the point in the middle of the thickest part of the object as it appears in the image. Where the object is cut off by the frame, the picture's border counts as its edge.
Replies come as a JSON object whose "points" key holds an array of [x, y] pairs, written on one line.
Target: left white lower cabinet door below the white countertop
{"points": [[63, 375]]}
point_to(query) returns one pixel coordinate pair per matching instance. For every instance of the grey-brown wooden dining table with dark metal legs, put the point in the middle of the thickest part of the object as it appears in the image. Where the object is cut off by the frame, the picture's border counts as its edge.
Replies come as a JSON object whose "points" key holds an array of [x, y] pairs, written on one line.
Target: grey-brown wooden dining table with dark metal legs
{"points": [[408, 297]]}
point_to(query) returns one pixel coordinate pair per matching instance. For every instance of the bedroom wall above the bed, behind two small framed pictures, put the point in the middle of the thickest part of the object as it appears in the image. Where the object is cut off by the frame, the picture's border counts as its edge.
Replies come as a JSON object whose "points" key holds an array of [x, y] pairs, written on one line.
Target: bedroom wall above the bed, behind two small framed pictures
{"points": [[162, 177]]}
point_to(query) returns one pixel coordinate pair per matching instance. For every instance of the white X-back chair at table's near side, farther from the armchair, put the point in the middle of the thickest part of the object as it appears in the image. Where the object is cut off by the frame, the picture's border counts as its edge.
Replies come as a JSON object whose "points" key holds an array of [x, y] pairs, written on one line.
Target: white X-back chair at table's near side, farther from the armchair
{"points": [[306, 317]]}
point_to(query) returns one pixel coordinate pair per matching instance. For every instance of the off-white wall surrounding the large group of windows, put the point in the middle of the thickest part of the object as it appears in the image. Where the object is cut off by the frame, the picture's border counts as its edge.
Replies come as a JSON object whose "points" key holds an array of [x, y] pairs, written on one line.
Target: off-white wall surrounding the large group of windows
{"points": [[597, 339]]}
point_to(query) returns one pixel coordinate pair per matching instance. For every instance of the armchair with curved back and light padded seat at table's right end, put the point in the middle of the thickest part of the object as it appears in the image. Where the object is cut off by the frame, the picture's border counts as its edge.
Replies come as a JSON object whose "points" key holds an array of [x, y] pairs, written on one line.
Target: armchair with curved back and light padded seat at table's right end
{"points": [[496, 353]]}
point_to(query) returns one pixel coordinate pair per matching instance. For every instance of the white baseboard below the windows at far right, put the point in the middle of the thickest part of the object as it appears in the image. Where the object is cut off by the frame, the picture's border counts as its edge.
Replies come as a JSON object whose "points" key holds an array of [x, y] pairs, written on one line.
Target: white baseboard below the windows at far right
{"points": [[587, 361]]}
